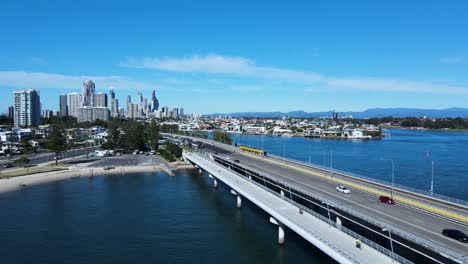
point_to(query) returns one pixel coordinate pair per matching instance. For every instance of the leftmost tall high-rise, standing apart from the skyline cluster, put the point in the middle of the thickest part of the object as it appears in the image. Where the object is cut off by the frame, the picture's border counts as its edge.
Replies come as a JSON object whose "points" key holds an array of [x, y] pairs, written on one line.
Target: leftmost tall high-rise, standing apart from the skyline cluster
{"points": [[27, 111]]}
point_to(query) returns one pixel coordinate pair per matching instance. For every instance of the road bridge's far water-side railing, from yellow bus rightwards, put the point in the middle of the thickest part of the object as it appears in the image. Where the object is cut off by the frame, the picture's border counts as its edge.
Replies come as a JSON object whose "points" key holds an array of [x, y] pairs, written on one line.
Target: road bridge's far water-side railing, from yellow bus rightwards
{"points": [[403, 187]]}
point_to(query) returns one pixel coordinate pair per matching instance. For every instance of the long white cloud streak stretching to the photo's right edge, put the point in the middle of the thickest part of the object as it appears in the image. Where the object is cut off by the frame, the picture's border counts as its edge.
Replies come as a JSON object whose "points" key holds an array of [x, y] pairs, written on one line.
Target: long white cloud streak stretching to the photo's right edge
{"points": [[243, 67]]}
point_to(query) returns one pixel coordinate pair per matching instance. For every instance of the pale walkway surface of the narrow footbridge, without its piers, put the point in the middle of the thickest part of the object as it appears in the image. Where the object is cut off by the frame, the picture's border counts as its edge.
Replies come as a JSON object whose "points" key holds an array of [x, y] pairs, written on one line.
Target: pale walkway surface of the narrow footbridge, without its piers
{"points": [[326, 237]]}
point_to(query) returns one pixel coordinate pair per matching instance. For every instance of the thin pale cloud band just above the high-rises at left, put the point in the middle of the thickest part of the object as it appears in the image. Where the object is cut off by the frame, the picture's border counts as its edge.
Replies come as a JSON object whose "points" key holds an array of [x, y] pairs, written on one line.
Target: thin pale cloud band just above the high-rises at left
{"points": [[22, 79]]}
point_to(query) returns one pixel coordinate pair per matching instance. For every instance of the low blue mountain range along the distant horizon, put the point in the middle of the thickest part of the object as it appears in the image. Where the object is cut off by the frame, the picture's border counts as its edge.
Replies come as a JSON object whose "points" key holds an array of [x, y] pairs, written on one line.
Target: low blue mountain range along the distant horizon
{"points": [[373, 112]]}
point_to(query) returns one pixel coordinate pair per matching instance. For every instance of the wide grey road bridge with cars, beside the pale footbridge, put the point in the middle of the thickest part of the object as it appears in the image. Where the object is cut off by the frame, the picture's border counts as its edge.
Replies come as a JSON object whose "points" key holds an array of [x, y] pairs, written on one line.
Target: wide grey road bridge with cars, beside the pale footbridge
{"points": [[409, 231]]}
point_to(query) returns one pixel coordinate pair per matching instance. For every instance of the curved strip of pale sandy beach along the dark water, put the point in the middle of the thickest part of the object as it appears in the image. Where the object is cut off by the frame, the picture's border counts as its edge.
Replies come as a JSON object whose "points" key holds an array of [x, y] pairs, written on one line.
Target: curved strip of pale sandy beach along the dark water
{"points": [[19, 182]]}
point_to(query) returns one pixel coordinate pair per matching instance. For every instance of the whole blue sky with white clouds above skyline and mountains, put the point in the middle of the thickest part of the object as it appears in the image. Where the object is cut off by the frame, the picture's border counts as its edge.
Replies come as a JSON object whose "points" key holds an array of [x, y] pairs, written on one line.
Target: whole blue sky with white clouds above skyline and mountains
{"points": [[208, 56]]}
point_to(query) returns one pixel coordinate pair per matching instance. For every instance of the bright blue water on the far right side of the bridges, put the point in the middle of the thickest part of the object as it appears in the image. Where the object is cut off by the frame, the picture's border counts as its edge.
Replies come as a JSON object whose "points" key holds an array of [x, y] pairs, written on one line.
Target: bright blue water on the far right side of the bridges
{"points": [[408, 149]]}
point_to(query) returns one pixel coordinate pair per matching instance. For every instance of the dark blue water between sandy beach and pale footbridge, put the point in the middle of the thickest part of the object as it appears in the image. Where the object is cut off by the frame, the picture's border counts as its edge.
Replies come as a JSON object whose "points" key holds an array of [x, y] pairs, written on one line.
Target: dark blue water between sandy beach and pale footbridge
{"points": [[141, 218]]}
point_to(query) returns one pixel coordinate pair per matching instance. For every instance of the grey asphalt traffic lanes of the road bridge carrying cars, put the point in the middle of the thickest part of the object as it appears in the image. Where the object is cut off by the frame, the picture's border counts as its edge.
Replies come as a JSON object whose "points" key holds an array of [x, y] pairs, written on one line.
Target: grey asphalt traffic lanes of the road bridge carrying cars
{"points": [[417, 222]]}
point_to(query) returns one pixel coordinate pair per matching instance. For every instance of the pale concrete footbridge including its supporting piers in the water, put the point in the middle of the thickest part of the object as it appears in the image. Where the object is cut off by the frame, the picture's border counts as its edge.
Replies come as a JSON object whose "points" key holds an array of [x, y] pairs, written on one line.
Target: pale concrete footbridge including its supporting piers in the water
{"points": [[325, 234]]}
